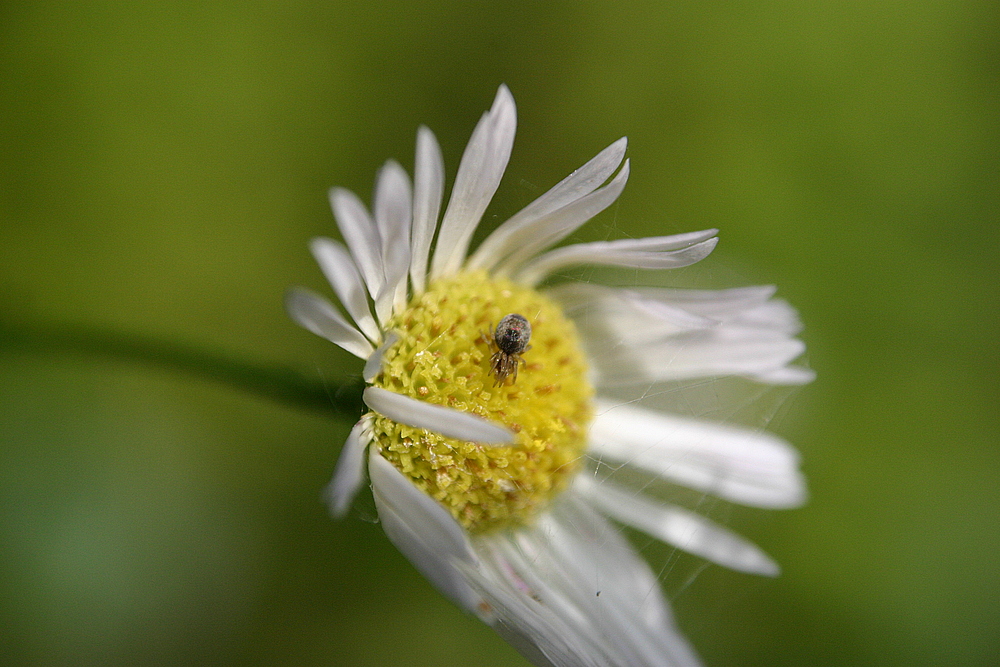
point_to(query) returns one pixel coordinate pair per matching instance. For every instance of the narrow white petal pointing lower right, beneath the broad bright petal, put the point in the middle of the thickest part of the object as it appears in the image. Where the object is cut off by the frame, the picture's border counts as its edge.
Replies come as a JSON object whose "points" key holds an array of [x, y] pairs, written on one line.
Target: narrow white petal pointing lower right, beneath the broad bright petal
{"points": [[678, 527]]}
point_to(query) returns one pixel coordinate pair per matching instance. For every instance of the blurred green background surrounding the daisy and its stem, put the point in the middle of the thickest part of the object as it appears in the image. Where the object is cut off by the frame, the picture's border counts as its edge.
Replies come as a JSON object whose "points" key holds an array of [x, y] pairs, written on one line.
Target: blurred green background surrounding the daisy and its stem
{"points": [[162, 166]]}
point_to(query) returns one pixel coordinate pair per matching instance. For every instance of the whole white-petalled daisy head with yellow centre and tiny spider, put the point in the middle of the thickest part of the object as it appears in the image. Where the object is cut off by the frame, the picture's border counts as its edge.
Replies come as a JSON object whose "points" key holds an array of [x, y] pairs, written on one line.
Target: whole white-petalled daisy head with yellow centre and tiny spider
{"points": [[487, 427]]}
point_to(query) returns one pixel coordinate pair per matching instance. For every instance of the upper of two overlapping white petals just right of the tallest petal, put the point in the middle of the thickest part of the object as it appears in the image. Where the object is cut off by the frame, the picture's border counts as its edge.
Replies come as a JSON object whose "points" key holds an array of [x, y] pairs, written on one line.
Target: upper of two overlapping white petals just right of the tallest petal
{"points": [[524, 224]]}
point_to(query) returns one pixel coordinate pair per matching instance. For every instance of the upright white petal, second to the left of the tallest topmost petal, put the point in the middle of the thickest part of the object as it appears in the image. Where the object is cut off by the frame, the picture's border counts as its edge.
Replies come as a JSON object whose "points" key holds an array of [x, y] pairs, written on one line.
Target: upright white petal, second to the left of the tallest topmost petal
{"points": [[393, 212]]}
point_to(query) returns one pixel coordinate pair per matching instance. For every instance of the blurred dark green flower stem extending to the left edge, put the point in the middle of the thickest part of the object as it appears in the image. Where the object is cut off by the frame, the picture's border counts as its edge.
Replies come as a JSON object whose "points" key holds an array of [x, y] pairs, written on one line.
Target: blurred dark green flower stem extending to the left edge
{"points": [[275, 382]]}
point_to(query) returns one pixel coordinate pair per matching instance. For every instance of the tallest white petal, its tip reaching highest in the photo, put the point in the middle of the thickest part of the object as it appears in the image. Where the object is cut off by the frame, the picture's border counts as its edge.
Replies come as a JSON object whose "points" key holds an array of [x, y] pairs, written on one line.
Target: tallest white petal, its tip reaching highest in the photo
{"points": [[479, 174]]}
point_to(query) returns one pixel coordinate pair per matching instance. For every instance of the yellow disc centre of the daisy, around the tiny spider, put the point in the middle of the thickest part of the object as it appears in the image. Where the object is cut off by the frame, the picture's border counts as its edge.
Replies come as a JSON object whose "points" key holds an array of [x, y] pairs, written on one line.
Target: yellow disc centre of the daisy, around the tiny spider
{"points": [[443, 357]]}
